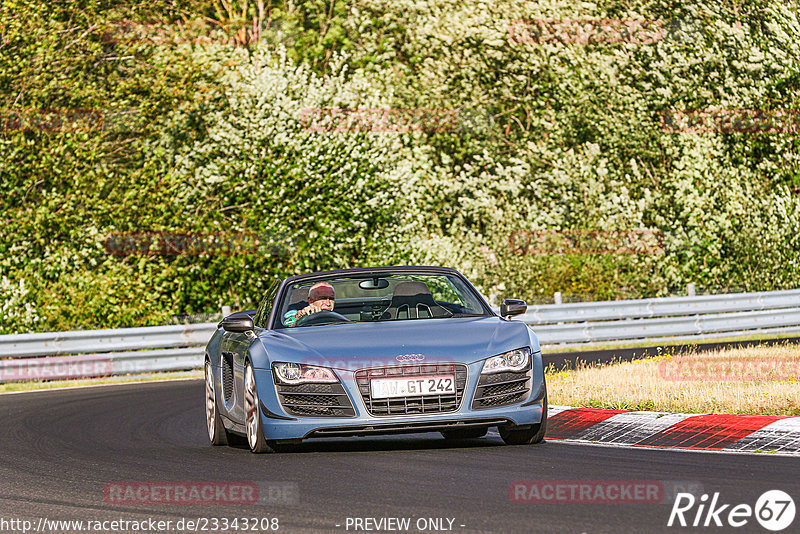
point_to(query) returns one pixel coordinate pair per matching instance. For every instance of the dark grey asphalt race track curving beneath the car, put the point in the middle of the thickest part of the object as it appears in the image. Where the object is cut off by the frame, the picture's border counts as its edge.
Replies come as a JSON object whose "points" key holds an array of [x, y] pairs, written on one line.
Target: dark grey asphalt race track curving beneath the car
{"points": [[62, 449]]}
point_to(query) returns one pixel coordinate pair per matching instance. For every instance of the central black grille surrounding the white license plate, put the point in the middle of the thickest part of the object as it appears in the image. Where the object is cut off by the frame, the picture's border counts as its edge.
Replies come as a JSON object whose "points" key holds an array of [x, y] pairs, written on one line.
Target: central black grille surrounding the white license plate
{"points": [[412, 405]]}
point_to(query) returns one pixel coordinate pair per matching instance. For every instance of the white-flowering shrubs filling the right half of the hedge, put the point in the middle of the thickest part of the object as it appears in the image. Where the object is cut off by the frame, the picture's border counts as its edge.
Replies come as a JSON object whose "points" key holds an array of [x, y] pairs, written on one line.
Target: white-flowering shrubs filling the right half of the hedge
{"points": [[575, 140]]}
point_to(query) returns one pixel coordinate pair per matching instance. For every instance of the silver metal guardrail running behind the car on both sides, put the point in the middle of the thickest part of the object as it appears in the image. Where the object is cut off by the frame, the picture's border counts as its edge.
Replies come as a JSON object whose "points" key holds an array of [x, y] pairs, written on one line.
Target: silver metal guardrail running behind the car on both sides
{"points": [[55, 355]]}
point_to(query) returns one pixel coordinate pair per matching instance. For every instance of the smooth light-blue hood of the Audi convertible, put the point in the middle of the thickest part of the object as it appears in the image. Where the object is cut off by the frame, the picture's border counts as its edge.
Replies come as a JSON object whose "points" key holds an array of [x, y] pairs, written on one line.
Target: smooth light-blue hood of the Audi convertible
{"points": [[359, 345]]}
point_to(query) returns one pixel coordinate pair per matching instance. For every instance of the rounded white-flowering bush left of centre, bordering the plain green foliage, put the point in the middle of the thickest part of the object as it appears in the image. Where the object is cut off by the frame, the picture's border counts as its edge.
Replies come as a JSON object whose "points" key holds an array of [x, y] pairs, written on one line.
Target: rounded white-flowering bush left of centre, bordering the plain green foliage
{"points": [[335, 198]]}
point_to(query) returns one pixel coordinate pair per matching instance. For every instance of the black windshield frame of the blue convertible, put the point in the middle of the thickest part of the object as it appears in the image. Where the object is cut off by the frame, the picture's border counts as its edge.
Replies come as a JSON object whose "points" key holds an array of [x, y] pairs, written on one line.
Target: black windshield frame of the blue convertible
{"points": [[368, 272]]}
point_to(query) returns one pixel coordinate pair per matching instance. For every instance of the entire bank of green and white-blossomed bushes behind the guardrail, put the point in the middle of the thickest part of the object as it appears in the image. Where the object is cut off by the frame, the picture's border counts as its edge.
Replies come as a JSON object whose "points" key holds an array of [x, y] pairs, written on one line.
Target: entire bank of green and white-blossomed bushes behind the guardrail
{"points": [[187, 117]]}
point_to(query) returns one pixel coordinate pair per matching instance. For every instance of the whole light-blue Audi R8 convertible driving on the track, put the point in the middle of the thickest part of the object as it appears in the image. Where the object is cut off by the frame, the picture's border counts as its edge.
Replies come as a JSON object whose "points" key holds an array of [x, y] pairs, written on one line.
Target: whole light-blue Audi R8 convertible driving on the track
{"points": [[383, 350]]}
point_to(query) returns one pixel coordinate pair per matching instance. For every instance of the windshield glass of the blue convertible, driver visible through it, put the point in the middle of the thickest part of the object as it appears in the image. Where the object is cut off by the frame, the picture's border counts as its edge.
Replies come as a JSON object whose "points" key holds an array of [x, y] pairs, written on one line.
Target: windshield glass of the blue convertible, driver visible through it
{"points": [[377, 297]]}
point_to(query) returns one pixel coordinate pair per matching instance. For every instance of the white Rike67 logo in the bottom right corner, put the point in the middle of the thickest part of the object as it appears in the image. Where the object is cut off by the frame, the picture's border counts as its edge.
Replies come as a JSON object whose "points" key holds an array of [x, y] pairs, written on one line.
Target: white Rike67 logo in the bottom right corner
{"points": [[774, 510]]}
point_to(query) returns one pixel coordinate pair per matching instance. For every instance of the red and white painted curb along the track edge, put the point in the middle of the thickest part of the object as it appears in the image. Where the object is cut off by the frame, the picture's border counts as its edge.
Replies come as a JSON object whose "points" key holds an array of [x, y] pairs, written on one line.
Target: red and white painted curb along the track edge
{"points": [[706, 432]]}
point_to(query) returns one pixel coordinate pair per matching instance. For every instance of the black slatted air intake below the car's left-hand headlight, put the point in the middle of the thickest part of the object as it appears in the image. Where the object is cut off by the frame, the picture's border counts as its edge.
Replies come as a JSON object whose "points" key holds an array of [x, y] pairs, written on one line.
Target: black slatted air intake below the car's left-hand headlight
{"points": [[315, 400]]}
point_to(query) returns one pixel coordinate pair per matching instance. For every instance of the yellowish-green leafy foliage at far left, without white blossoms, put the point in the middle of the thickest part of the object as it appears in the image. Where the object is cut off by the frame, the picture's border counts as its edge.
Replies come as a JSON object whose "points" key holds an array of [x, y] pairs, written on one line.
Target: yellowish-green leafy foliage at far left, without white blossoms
{"points": [[83, 153]]}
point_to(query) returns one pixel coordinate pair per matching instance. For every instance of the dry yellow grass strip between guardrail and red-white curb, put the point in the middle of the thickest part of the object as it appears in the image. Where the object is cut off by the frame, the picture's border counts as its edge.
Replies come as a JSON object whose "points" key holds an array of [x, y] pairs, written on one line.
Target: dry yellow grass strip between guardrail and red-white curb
{"points": [[752, 380]]}
